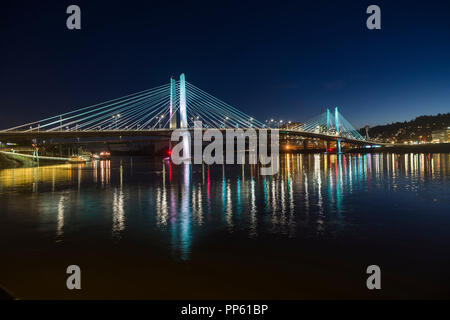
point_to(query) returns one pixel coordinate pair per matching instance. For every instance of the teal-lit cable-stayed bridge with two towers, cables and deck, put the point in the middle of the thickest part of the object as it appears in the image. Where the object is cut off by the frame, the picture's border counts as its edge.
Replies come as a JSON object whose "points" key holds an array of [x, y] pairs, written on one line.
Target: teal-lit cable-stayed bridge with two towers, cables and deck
{"points": [[160, 110]]}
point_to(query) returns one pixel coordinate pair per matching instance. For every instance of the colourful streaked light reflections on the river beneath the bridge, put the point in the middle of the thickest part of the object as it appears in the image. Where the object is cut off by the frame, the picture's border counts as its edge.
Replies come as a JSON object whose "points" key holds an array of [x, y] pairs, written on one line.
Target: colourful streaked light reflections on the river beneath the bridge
{"points": [[312, 196]]}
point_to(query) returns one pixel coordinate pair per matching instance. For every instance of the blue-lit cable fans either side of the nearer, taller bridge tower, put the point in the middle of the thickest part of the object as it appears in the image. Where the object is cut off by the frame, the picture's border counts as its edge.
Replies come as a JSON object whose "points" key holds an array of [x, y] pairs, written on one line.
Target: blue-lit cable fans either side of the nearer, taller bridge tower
{"points": [[147, 110]]}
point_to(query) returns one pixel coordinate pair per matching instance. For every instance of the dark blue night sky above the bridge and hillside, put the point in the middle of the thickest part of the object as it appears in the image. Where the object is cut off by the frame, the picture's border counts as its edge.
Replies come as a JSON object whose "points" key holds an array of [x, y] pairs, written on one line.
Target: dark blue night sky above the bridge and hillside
{"points": [[286, 60]]}
